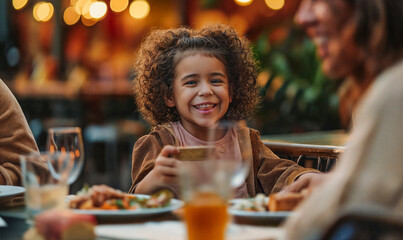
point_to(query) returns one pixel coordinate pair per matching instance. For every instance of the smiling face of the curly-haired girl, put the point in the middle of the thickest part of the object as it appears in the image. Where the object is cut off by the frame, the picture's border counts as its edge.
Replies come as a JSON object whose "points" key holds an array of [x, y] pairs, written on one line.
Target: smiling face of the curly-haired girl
{"points": [[200, 92]]}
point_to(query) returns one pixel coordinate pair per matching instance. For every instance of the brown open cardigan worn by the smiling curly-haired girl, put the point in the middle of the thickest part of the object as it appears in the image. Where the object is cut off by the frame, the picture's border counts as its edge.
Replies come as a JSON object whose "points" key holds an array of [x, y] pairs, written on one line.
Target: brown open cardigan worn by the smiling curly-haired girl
{"points": [[268, 173]]}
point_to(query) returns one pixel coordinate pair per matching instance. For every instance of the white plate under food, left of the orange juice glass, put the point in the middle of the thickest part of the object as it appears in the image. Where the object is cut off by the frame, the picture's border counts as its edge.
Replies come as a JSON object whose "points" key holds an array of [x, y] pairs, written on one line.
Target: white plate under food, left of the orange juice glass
{"points": [[174, 204]]}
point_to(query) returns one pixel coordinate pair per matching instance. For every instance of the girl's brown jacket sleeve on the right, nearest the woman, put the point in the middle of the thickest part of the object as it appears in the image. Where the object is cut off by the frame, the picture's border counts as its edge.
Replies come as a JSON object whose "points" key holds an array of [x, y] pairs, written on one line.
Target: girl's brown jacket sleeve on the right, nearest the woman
{"points": [[270, 172]]}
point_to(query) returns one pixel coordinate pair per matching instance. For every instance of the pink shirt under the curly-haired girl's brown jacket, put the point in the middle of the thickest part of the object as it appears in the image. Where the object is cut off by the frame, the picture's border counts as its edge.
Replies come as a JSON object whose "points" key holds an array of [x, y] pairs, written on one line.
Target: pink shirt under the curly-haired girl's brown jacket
{"points": [[228, 148]]}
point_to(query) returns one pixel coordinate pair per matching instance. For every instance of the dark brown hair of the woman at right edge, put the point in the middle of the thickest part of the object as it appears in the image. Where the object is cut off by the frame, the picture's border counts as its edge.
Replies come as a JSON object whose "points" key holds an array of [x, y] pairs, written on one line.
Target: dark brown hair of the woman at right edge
{"points": [[379, 31]]}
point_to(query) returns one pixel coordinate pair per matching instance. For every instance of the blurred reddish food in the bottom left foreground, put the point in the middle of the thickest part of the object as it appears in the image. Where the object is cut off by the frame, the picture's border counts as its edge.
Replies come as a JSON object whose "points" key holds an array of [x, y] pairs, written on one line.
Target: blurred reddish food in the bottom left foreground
{"points": [[62, 225]]}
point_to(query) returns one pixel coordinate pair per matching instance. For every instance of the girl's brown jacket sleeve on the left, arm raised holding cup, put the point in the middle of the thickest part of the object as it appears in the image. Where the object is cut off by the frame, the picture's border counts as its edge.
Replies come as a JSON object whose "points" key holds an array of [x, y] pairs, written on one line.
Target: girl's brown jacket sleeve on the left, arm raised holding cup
{"points": [[146, 150]]}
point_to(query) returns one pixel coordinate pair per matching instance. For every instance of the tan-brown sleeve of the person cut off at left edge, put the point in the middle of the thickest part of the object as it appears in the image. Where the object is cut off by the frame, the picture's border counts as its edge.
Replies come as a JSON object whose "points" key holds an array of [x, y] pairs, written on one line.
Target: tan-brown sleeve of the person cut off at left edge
{"points": [[15, 138]]}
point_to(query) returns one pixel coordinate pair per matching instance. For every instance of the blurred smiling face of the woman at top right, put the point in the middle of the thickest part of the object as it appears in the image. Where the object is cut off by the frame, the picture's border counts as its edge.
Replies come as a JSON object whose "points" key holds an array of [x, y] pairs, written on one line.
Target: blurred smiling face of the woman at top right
{"points": [[329, 25]]}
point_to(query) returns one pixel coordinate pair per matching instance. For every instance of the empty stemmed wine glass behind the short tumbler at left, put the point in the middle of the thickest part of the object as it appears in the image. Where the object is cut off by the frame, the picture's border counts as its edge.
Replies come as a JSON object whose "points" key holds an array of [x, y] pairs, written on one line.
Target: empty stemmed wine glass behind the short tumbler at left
{"points": [[68, 140]]}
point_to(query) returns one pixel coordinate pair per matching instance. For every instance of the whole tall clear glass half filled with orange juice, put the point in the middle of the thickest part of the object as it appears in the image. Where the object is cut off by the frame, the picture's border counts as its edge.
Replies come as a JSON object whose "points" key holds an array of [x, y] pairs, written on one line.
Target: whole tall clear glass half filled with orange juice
{"points": [[205, 188]]}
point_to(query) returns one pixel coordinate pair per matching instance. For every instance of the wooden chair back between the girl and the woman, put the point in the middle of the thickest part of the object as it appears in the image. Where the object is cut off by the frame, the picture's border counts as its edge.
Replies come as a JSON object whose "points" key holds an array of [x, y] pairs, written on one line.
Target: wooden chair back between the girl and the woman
{"points": [[321, 157]]}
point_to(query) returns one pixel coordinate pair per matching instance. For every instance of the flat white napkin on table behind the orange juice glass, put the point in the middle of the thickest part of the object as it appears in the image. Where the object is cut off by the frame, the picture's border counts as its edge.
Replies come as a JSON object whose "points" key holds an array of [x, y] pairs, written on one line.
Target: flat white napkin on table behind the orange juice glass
{"points": [[174, 230]]}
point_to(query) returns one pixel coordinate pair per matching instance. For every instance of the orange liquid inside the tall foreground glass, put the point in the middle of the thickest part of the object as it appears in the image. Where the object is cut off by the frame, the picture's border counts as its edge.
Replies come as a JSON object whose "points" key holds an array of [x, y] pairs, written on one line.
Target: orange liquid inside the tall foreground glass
{"points": [[206, 217]]}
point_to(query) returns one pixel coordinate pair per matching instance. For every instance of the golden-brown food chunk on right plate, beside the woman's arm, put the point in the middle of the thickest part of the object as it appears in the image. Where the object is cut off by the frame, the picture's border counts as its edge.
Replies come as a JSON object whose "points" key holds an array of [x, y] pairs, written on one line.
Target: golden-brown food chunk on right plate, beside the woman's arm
{"points": [[286, 201]]}
